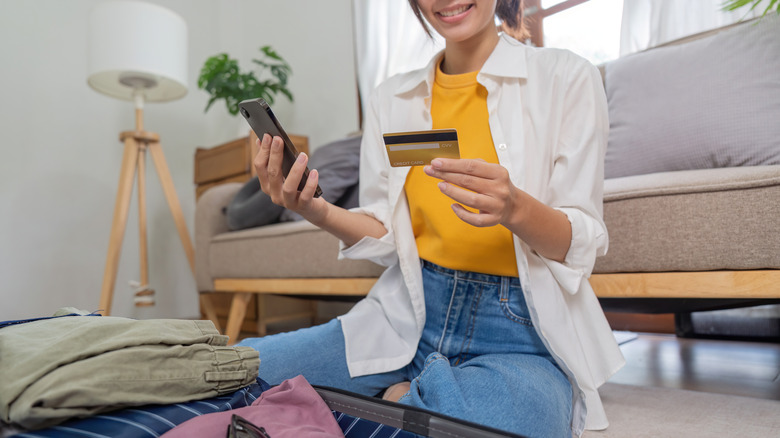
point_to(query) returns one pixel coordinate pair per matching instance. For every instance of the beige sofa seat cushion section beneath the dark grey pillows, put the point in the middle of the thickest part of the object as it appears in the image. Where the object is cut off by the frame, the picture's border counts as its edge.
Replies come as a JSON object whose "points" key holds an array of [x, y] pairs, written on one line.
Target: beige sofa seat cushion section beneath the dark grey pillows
{"points": [[284, 250]]}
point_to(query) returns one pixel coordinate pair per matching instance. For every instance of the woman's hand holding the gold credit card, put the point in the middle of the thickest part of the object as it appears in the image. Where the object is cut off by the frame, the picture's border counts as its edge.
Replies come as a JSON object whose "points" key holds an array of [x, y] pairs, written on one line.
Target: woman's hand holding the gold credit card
{"points": [[477, 184]]}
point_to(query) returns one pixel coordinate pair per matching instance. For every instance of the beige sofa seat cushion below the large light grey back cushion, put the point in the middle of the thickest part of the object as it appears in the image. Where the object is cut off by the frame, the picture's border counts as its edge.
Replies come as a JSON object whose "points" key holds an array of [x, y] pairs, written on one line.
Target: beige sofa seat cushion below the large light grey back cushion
{"points": [[693, 221]]}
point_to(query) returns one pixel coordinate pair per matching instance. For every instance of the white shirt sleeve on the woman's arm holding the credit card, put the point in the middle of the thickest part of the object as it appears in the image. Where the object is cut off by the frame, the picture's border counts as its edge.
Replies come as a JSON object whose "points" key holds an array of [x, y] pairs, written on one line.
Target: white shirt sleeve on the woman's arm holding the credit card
{"points": [[577, 180]]}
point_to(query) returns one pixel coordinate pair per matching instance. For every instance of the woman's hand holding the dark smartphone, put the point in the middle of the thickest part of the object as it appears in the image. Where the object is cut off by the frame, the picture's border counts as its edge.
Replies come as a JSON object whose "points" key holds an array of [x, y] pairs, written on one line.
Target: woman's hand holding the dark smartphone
{"points": [[284, 191]]}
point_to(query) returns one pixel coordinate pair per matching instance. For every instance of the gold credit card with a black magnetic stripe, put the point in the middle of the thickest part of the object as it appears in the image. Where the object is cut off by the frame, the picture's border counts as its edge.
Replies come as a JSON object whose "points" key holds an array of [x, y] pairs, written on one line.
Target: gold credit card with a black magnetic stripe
{"points": [[420, 147]]}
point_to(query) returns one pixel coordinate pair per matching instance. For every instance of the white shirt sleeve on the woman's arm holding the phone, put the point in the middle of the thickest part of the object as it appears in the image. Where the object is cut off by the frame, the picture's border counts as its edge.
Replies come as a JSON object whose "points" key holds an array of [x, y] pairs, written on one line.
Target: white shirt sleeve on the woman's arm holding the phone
{"points": [[374, 181]]}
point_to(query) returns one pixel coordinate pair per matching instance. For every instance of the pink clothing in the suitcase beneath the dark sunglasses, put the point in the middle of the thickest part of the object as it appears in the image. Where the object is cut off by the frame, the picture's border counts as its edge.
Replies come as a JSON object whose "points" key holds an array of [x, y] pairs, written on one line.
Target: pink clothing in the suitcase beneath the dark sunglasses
{"points": [[292, 409]]}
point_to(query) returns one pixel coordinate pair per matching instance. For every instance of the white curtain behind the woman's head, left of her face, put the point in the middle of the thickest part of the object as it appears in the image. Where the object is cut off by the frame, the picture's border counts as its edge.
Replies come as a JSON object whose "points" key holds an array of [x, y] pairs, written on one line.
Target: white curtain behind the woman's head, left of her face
{"points": [[388, 40]]}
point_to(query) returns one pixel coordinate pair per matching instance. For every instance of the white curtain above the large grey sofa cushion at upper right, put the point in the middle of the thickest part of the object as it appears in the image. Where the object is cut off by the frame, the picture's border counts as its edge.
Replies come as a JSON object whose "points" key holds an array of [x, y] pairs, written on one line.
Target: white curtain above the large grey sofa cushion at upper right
{"points": [[648, 23]]}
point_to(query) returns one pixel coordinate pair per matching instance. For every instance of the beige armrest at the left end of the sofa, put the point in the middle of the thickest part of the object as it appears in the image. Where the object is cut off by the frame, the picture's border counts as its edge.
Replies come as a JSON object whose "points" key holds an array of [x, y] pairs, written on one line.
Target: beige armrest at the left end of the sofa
{"points": [[210, 220]]}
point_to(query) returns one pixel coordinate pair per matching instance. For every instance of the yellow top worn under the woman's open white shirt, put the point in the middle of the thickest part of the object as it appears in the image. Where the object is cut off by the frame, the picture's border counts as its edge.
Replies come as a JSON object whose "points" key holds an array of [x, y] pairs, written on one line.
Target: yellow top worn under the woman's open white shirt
{"points": [[459, 102]]}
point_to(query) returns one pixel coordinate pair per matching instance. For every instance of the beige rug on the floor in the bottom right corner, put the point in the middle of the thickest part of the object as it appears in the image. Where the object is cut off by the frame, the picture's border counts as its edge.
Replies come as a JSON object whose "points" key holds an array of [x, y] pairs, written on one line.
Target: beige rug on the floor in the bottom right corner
{"points": [[639, 412]]}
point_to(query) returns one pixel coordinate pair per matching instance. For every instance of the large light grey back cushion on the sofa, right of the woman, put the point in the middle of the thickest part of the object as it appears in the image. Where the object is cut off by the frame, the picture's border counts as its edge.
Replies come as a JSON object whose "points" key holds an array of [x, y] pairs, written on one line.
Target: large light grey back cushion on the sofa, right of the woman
{"points": [[713, 102]]}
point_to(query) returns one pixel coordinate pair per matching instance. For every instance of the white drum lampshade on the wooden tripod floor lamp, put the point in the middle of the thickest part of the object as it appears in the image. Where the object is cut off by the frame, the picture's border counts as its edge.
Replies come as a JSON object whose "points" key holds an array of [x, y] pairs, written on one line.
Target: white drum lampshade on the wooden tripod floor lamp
{"points": [[137, 47]]}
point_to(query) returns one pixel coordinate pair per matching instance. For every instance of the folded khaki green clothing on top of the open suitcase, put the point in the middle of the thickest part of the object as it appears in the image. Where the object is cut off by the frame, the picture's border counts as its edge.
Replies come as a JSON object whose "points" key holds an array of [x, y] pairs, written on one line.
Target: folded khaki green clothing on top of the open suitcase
{"points": [[77, 366]]}
